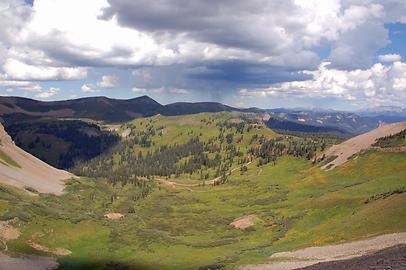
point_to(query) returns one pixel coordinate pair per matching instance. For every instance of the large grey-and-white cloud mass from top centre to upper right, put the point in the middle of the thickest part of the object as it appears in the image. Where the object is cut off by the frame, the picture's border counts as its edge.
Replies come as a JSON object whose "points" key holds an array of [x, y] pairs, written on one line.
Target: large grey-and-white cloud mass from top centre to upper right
{"points": [[280, 32]]}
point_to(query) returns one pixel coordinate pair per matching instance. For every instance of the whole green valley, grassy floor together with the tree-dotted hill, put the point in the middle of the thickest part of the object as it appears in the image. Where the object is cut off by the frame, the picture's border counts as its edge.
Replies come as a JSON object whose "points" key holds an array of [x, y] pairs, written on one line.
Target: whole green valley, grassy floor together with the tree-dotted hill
{"points": [[174, 218]]}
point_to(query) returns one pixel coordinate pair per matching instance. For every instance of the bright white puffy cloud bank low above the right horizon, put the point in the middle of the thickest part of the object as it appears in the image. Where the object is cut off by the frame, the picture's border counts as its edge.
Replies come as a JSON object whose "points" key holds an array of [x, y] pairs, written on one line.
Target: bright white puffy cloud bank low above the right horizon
{"points": [[379, 84]]}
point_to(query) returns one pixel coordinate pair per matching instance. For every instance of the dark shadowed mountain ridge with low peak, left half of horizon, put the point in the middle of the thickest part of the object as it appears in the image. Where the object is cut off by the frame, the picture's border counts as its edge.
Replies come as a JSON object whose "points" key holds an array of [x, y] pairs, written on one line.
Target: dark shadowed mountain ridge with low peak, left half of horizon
{"points": [[104, 108]]}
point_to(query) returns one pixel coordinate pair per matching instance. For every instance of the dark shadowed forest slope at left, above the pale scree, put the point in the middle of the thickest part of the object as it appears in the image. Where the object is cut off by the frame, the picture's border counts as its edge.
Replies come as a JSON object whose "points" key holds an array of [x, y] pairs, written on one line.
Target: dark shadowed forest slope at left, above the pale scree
{"points": [[60, 143]]}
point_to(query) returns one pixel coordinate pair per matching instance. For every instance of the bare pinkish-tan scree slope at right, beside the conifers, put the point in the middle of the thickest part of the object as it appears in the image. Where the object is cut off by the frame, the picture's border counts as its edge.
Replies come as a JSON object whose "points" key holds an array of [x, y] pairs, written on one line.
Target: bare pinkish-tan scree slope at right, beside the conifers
{"points": [[362, 142]]}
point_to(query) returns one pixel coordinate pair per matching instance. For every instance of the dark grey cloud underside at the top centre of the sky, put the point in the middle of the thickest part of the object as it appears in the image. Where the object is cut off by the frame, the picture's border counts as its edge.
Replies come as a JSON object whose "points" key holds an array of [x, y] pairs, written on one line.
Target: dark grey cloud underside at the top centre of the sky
{"points": [[226, 23]]}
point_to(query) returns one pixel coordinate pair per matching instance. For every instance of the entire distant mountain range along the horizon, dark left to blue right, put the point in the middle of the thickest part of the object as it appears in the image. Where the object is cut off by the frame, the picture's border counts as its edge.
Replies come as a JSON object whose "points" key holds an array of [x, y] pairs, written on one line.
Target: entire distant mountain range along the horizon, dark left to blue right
{"points": [[111, 110]]}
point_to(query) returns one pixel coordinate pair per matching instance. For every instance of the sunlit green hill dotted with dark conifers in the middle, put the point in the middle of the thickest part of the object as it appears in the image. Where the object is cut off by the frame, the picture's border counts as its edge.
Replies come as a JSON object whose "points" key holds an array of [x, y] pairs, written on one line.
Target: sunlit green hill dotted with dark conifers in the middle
{"points": [[205, 146]]}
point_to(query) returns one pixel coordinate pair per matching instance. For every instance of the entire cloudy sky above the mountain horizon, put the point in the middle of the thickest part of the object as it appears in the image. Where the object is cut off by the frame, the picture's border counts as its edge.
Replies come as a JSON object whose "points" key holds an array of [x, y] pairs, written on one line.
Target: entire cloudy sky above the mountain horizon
{"points": [[336, 54]]}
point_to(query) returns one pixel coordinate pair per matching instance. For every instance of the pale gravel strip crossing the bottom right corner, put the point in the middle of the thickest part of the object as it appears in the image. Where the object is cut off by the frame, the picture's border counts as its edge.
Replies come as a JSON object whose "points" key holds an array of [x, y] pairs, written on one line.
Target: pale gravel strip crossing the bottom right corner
{"points": [[312, 255]]}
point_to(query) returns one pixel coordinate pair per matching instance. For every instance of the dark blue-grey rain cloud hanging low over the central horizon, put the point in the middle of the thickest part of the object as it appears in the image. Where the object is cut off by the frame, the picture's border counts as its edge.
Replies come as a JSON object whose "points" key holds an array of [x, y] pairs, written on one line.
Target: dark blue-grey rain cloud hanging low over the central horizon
{"points": [[215, 78]]}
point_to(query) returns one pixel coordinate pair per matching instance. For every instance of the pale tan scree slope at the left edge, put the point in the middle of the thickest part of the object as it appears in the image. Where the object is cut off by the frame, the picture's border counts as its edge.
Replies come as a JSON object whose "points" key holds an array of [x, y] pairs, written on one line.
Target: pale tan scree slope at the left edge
{"points": [[32, 172]]}
